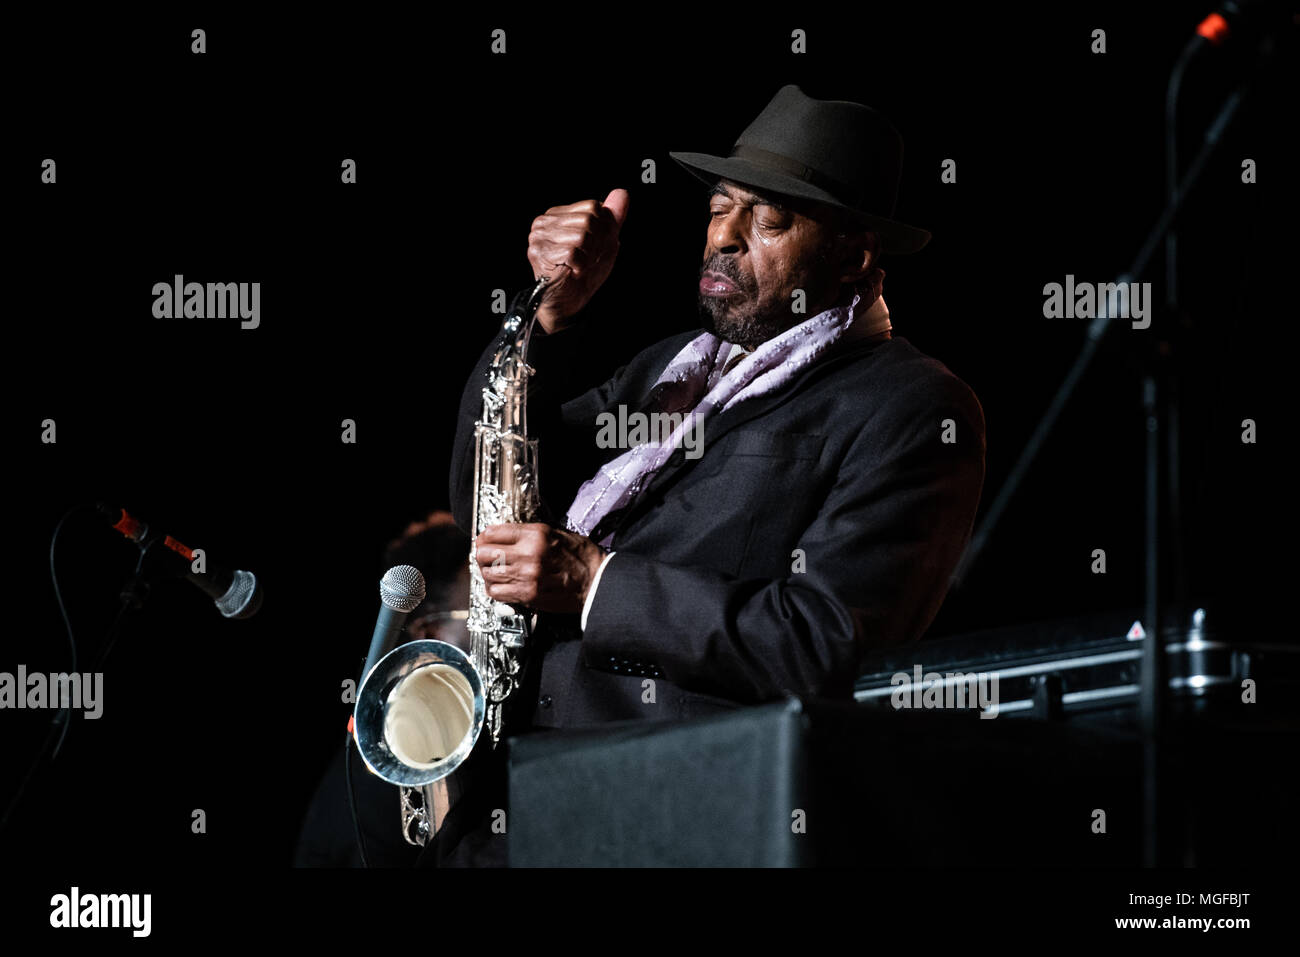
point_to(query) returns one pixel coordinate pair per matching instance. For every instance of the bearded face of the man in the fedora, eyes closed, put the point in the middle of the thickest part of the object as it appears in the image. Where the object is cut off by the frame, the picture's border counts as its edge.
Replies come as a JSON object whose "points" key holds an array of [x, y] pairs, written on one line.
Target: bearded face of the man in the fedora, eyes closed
{"points": [[759, 252]]}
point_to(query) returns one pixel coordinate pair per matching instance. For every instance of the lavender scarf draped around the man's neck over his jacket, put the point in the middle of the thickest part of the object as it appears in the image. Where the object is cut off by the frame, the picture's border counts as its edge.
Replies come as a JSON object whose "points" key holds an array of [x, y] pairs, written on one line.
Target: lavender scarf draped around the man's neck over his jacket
{"points": [[695, 386]]}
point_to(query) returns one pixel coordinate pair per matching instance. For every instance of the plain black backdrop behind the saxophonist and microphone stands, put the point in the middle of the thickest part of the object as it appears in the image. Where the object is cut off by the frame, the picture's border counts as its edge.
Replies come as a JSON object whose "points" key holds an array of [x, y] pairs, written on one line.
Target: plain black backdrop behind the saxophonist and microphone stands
{"points": [[376, 301]]}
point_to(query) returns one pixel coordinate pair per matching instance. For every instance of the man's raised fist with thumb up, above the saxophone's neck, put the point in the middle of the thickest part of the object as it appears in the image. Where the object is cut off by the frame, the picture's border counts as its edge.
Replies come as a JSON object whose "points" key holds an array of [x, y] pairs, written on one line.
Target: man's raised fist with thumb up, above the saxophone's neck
{"points": [[577, 246]]}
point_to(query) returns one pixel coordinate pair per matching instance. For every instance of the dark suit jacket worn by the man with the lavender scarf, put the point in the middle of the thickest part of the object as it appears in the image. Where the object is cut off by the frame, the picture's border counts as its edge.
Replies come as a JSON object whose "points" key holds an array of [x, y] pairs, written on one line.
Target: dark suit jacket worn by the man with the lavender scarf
{"points": [[822, 522]]}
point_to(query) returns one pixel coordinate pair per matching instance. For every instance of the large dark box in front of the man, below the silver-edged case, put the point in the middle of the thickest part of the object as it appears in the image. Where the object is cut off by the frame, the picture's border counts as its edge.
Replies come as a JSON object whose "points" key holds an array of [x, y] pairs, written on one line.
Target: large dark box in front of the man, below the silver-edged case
{"points": [[801, 783]]}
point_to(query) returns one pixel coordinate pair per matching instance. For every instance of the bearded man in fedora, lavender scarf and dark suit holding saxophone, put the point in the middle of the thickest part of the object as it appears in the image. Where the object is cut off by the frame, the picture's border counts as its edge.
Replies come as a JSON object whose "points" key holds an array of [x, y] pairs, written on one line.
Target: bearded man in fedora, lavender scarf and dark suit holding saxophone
{"points": [[840, 467]]}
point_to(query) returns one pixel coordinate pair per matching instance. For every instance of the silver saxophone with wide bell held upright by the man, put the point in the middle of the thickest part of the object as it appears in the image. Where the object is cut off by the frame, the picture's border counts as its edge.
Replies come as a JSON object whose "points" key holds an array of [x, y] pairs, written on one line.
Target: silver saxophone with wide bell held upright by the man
{"points": [[423, 707]]}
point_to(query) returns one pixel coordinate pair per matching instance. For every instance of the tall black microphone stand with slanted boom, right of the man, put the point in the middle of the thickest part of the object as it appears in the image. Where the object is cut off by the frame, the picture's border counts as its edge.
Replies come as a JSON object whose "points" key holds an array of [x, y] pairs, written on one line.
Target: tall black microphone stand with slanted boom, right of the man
{"points": [[1154, 682]]}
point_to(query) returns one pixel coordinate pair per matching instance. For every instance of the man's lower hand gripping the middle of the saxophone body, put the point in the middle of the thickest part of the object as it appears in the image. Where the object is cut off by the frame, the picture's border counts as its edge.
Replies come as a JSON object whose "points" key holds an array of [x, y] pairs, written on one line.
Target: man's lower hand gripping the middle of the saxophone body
{"points": [[536, 565]]}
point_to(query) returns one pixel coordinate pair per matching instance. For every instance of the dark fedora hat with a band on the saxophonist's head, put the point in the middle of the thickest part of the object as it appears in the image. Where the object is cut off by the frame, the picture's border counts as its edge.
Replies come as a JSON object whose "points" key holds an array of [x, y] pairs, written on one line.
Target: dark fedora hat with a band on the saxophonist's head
{"points": [[835, 153]]}
